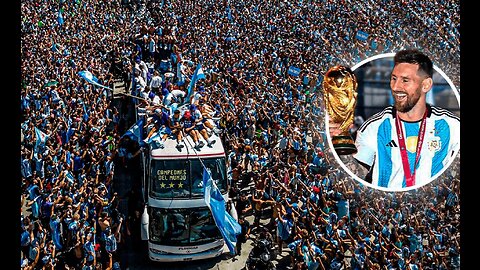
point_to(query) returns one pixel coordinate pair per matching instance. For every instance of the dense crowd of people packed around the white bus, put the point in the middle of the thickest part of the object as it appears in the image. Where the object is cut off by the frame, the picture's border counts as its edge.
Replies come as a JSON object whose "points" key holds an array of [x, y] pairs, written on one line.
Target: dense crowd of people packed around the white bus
{"points": [[271, 121]]}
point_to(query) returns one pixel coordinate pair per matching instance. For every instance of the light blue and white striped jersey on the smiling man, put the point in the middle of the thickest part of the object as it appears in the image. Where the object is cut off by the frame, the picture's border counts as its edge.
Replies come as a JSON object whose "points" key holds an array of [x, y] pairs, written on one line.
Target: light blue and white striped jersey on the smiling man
{"points": [[378, 146]]}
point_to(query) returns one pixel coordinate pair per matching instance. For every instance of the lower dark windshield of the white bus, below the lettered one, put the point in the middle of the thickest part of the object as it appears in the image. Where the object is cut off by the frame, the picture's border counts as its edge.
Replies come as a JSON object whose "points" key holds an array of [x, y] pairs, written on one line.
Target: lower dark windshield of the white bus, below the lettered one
{"points": [[177, 227]]}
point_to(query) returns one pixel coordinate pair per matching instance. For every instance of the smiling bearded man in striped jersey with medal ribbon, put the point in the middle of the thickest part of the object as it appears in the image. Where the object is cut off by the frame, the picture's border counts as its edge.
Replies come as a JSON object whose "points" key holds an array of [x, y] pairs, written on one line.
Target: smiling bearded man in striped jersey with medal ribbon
{"points": [[409, 143]]}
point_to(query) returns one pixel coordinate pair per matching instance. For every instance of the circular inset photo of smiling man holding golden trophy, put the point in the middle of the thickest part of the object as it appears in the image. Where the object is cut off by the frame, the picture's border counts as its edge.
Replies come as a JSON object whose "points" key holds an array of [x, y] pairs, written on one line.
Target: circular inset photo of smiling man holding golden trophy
{"points": [[393, 120]]}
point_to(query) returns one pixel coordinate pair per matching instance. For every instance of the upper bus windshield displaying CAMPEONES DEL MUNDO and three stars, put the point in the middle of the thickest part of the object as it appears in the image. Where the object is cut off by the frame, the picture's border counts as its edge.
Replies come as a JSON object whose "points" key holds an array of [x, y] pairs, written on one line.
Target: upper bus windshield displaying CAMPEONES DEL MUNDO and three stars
{"points": [[183, 178]]}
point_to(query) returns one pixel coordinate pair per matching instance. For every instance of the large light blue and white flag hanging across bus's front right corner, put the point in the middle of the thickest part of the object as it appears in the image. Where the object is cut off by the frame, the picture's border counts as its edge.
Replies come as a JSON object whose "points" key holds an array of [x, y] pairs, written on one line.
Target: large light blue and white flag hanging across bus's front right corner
{"points": [[227, 225]]}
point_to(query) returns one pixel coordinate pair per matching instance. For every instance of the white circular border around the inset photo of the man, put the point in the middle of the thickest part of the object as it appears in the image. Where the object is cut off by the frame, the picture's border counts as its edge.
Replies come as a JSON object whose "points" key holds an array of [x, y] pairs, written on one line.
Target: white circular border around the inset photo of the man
{"points": [[330, 144]]}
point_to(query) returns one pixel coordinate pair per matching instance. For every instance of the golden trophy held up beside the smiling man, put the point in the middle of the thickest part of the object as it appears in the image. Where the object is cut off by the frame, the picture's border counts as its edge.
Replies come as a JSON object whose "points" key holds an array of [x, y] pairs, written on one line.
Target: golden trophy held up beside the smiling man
{"points": [[340, 95]]}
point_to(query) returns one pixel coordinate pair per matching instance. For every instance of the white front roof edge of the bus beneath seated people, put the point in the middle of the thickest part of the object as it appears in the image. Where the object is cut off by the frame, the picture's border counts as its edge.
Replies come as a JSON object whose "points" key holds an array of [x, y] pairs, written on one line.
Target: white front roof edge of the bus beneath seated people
{"points": [[170, 151]]}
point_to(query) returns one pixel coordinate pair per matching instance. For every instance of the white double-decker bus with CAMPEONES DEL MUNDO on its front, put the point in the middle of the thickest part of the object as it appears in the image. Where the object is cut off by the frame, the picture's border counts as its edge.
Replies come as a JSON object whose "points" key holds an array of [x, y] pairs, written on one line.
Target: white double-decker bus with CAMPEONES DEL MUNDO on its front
{"points": [[176, 221]]}
